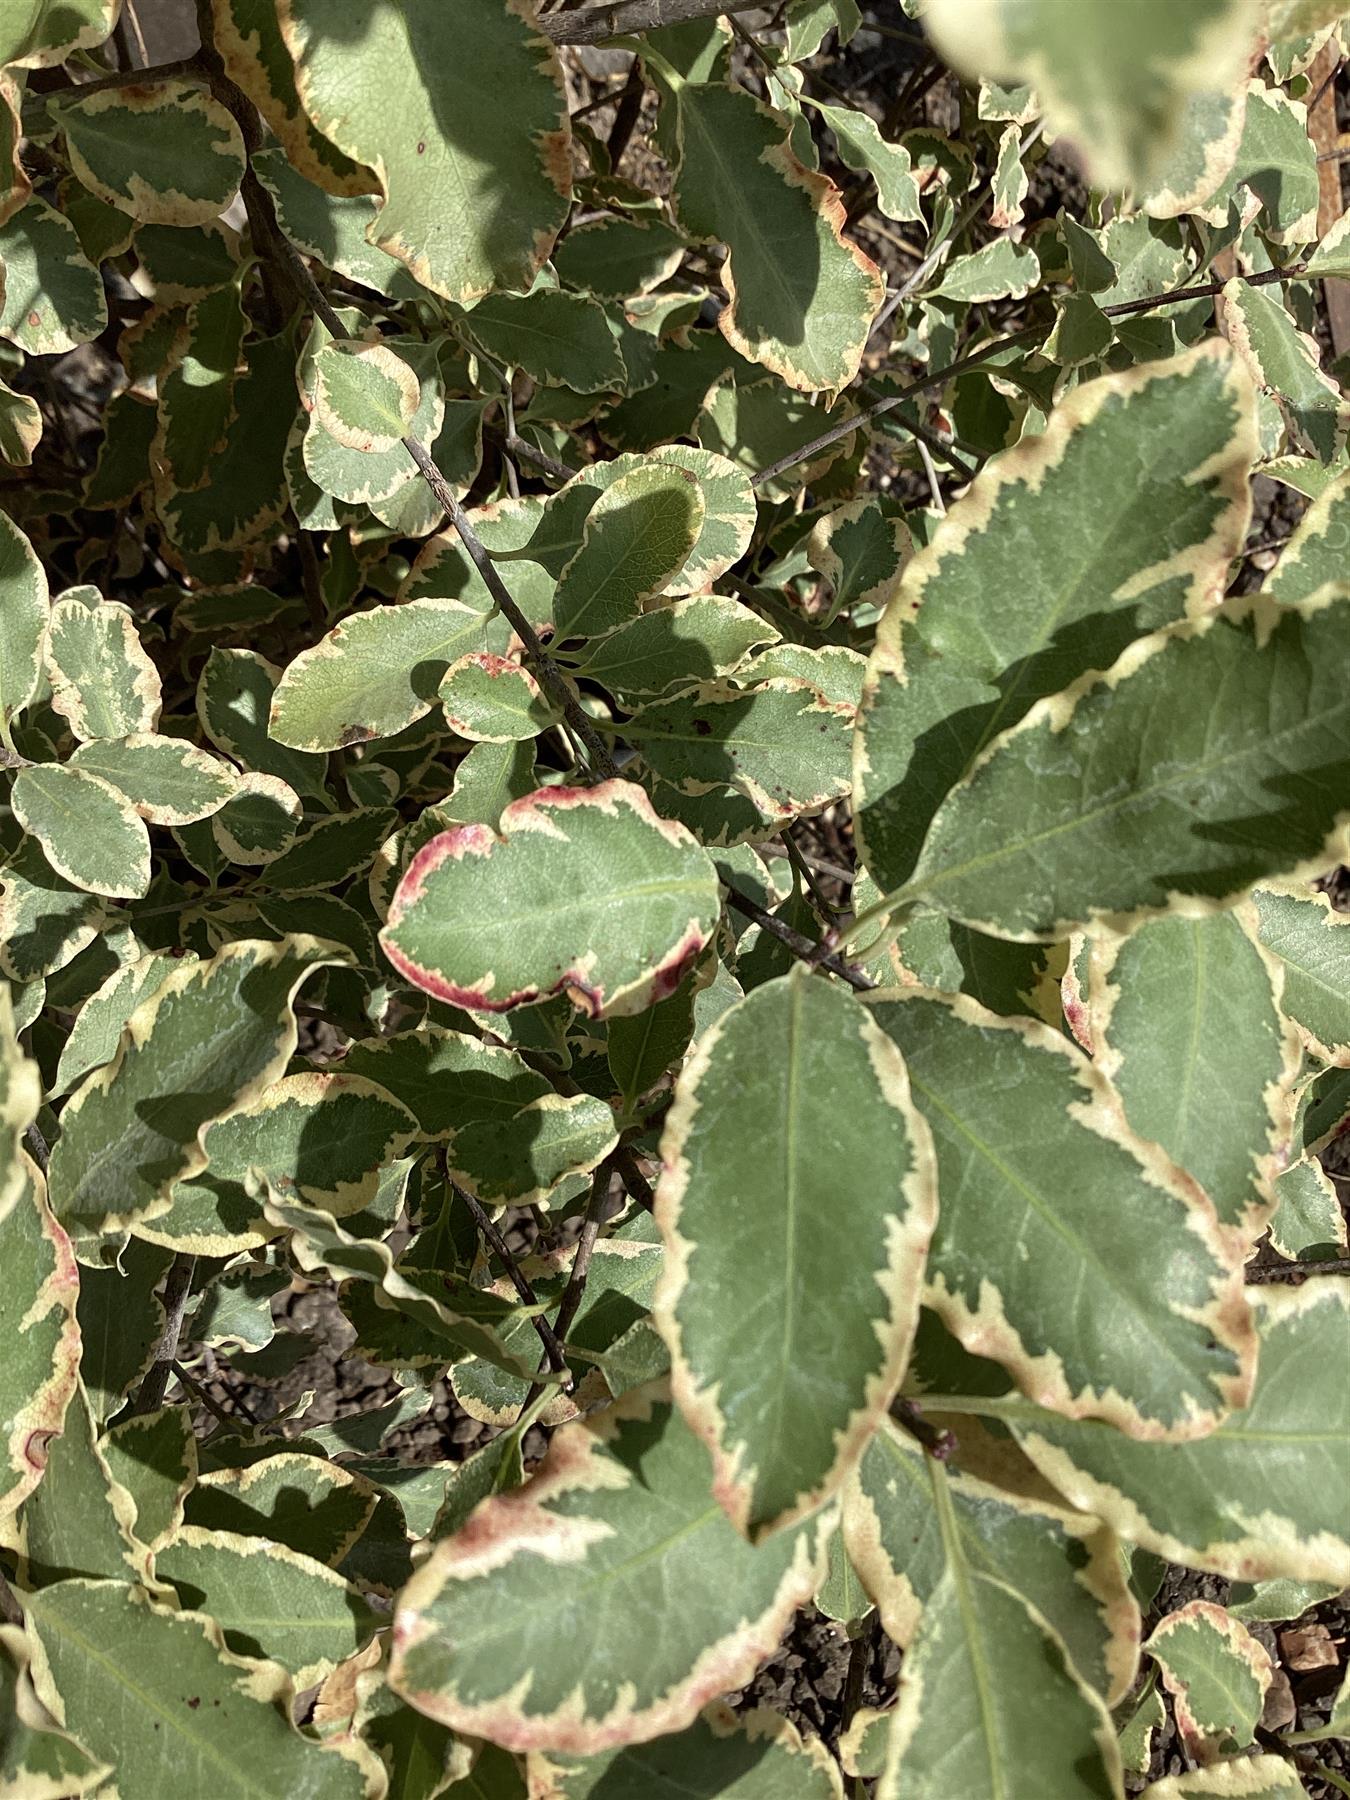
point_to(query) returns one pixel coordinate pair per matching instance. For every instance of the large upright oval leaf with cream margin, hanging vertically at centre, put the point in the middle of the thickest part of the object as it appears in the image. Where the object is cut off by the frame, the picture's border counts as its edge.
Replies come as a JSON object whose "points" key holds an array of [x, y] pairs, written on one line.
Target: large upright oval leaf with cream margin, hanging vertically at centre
{"points": [[796, 1201]]}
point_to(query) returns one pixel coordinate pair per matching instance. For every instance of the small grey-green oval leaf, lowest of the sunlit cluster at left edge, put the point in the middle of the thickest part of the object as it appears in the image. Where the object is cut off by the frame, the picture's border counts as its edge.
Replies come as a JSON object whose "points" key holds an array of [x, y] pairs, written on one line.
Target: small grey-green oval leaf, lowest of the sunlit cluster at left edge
{"points": [[85, 827]]}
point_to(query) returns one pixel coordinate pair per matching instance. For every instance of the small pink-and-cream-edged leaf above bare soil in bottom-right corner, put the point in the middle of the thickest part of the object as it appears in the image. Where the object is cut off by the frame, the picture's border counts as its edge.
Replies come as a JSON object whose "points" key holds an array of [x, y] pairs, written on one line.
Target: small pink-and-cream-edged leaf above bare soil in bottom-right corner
{"points": [[1218, 1677]]}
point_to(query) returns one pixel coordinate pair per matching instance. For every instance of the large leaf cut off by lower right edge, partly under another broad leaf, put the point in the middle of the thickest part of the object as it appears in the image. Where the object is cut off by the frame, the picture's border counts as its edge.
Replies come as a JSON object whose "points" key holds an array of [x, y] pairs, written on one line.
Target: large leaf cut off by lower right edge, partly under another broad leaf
{"points": [[1261, 1495]]}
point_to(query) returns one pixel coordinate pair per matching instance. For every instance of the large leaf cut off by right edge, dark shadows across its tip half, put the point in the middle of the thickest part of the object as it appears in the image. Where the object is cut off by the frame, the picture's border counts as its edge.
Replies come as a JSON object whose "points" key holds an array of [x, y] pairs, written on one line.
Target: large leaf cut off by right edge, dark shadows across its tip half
{"points": [[1209, 759]]}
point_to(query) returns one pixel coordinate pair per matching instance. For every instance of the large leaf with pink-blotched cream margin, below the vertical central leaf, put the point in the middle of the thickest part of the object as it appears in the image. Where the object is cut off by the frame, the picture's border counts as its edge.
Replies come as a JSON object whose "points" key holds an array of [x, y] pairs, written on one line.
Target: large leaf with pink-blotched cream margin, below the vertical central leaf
{"points": [[570, 1560]]}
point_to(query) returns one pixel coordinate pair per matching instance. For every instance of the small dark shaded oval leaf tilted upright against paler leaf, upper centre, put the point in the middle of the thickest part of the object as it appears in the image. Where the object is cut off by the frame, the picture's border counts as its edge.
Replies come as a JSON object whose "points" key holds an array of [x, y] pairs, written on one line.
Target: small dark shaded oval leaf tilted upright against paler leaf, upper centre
{"points": [[636, 541]]}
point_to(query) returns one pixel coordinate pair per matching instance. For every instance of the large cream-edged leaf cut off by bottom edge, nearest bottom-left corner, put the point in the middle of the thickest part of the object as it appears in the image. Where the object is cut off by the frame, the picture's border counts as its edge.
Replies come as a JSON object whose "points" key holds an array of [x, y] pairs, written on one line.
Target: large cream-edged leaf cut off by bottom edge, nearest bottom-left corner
{"points": [[118, 1666]]}
